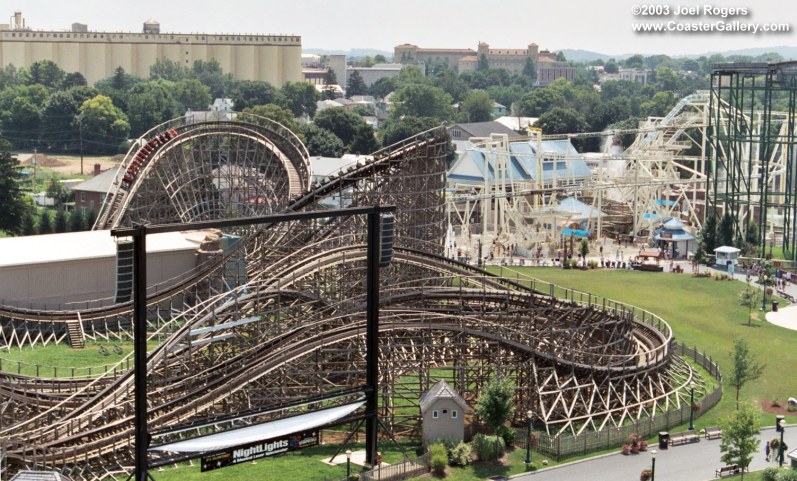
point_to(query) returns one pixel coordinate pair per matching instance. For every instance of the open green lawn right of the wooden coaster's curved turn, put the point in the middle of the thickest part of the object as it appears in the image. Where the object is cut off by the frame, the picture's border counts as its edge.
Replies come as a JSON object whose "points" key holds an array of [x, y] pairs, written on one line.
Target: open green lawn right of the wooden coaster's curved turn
{"points": [[702, 312]]}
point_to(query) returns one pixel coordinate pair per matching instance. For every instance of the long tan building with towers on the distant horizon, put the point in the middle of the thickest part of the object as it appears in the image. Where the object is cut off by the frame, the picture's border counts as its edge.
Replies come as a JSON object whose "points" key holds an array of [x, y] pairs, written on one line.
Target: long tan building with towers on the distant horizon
{"points": [[511, 59]]}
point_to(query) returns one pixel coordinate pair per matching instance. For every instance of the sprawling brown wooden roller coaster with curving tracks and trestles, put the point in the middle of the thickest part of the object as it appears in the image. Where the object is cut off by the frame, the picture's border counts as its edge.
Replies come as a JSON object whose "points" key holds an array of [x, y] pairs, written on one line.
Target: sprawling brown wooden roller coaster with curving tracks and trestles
{"points": [[293, 329]]}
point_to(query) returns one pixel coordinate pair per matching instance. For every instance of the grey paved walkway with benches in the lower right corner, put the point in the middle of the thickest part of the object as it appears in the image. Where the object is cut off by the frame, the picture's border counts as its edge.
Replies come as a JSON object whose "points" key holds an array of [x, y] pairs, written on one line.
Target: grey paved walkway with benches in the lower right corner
{"points": [[688, 462]]}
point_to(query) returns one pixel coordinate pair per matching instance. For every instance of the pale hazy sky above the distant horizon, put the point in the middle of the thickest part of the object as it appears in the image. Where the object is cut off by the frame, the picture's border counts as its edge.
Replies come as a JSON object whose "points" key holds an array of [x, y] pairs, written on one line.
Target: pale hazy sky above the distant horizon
{"points": [[595, 25]]}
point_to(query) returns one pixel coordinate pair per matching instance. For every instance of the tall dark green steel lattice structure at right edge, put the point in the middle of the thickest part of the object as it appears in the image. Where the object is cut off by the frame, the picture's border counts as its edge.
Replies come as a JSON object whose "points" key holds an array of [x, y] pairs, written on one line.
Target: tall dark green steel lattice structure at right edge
{"points": [[752, 150]]}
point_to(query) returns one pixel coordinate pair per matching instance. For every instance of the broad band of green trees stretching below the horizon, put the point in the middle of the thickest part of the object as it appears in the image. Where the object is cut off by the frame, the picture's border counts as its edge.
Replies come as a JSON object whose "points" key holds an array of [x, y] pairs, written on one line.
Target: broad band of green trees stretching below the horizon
{"points": [[44, 107]]}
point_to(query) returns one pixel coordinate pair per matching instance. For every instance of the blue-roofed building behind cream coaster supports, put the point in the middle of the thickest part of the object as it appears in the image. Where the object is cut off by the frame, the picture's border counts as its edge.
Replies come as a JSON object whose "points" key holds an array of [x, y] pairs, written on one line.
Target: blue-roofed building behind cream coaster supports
{"points": [[507, 188]]}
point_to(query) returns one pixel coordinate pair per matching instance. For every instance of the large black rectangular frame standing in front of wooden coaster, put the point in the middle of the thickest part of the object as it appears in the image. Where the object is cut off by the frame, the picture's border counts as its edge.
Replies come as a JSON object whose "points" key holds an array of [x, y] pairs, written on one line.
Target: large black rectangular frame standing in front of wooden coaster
{"points": [[380, 244]]}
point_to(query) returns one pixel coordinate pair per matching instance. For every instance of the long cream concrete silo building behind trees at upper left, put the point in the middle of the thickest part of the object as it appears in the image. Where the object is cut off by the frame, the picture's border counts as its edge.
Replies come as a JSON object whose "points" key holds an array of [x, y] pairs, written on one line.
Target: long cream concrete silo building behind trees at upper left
{"points": [[275, 59]]}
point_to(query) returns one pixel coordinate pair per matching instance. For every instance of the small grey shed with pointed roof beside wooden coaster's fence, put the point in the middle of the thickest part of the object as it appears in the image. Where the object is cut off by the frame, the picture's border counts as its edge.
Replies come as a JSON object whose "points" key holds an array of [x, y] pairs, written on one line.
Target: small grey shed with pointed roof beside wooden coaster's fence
{"points": [[443, 411]]}
